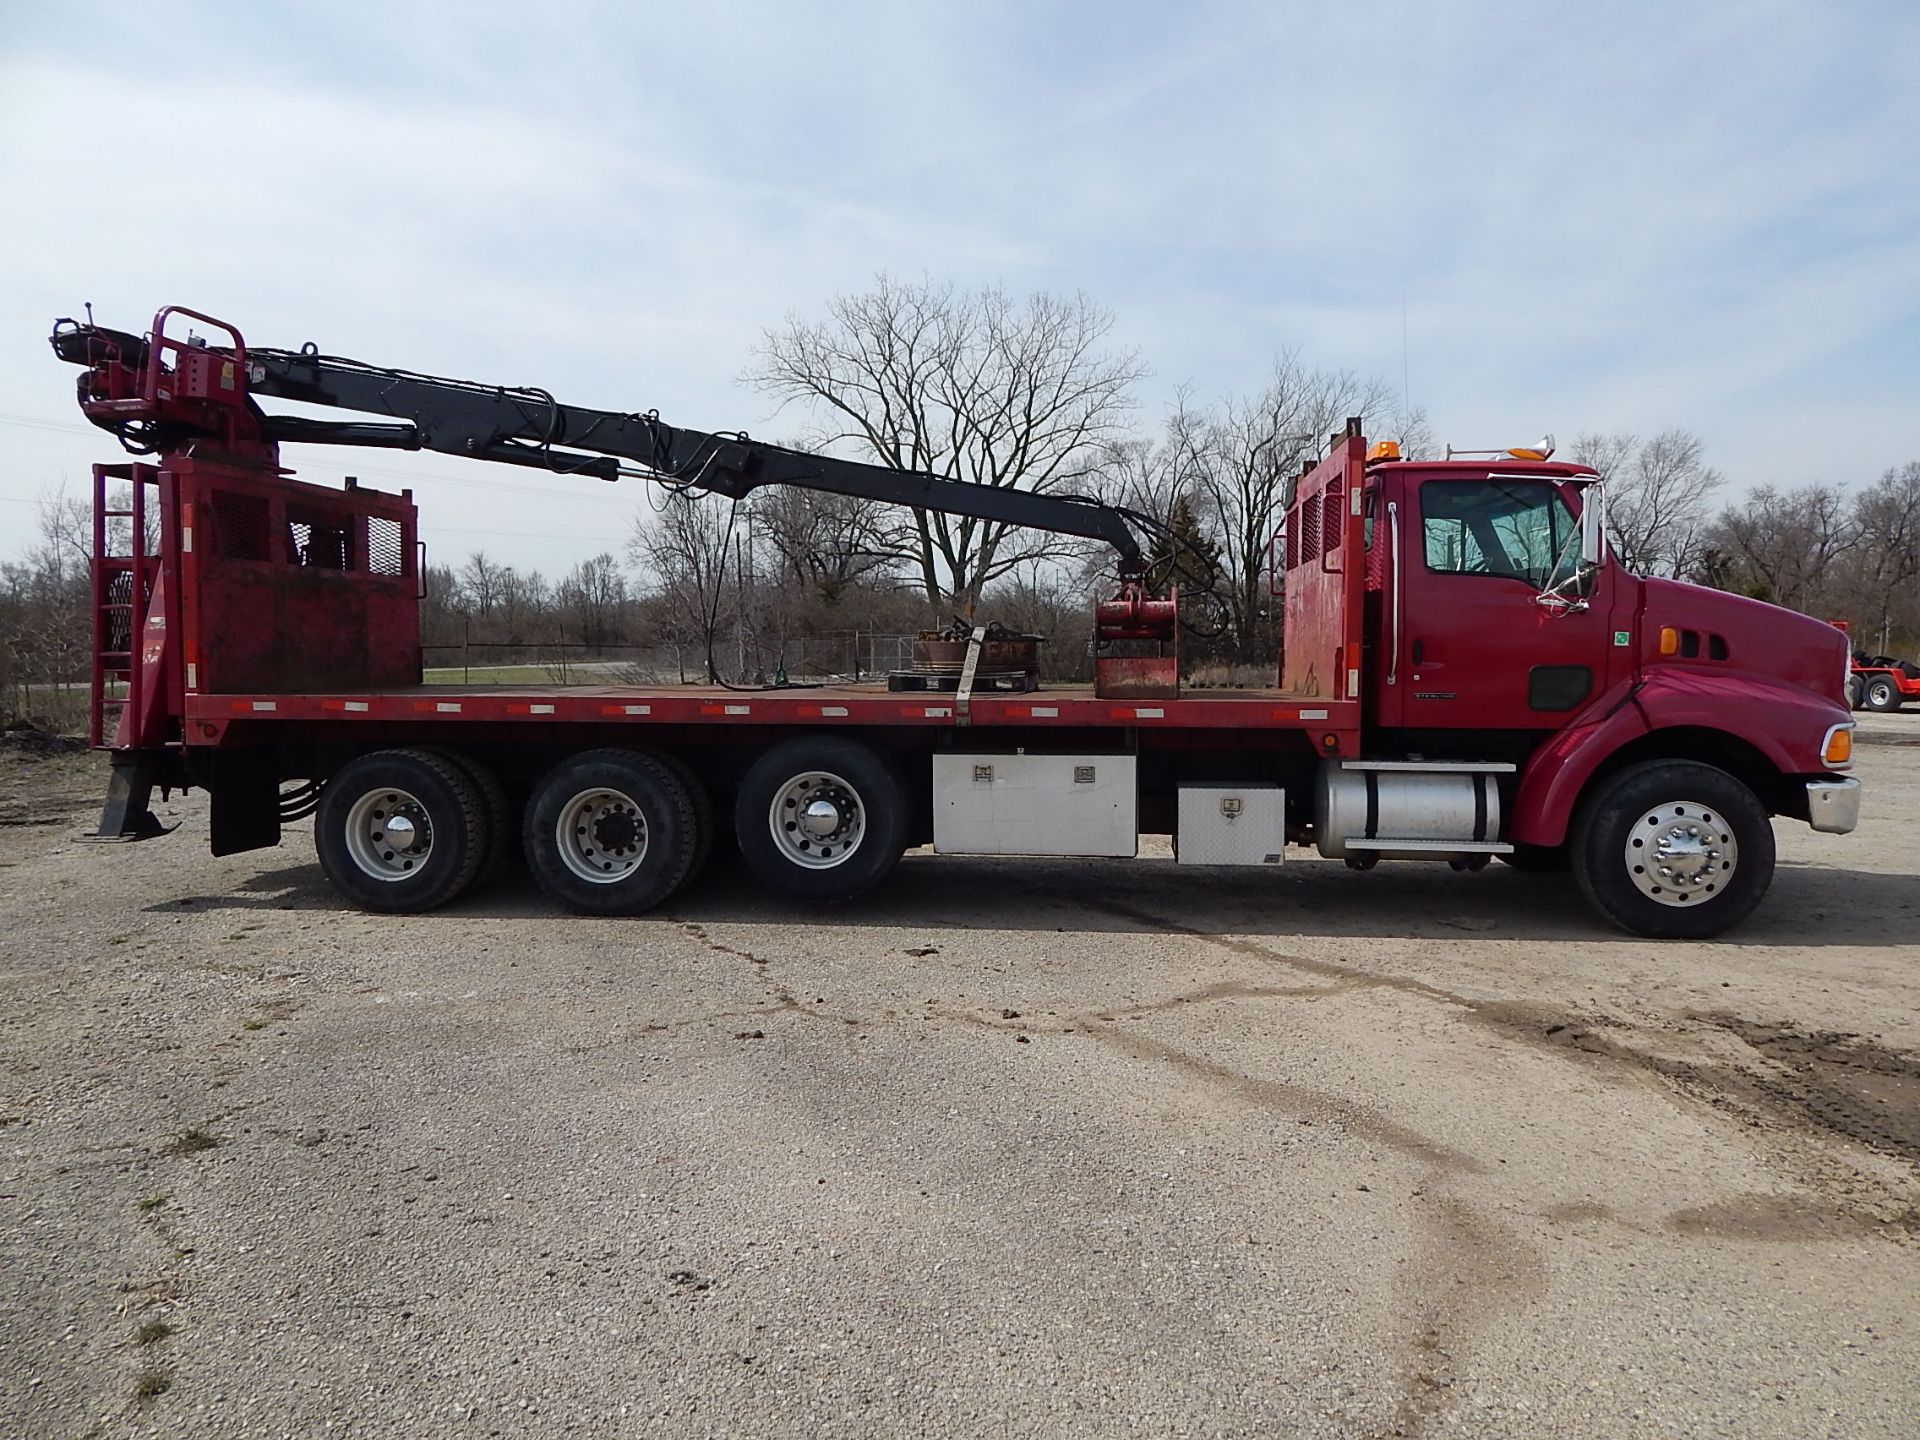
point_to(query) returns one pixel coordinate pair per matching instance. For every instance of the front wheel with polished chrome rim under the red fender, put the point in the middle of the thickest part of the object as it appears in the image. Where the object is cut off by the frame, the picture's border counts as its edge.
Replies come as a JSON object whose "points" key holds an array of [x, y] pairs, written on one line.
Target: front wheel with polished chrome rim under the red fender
{"points": [[1714, 828]]}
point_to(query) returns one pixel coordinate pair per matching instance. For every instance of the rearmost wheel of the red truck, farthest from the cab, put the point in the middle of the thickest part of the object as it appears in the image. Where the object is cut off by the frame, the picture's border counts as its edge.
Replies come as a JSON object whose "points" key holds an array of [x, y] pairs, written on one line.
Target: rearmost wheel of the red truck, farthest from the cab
{"points": [[362, 815]]}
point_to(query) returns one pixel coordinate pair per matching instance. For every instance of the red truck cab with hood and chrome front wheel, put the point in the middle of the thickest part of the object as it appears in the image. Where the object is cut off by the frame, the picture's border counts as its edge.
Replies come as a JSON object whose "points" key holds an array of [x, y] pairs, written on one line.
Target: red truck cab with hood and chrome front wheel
{"points": [[1506, 638]]}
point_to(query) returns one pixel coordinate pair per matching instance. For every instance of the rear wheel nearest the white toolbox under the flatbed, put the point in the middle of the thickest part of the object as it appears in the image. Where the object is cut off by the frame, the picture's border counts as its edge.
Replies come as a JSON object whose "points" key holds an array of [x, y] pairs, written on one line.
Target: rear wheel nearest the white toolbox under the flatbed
{"points": [[846, 848]]}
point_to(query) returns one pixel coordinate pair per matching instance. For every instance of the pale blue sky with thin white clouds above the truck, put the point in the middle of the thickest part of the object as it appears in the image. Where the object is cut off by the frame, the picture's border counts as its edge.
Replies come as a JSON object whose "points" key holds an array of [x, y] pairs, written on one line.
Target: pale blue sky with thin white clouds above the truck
{"points": [[1602, 216]]}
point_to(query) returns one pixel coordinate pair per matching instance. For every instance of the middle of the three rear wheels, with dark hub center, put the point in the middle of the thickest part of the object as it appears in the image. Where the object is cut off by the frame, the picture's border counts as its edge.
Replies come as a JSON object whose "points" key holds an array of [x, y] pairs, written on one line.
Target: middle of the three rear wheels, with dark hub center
{"points": [[610, 832]]}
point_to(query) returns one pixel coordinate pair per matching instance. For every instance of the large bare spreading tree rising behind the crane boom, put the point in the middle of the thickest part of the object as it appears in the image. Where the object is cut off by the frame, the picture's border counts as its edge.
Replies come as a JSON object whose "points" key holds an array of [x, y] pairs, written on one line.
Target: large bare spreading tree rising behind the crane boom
{"points": [[965, 385]]}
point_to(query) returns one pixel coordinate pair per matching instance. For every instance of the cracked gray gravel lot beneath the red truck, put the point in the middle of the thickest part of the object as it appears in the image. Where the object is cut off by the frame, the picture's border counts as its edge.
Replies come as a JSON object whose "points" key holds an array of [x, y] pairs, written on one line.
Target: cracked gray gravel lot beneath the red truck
{"points": [[1009, 1149]]}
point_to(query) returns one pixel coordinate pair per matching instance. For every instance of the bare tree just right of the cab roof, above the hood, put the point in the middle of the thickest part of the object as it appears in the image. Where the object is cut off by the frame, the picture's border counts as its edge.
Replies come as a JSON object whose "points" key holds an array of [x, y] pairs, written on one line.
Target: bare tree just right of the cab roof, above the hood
{"points": [[1658, 496]]}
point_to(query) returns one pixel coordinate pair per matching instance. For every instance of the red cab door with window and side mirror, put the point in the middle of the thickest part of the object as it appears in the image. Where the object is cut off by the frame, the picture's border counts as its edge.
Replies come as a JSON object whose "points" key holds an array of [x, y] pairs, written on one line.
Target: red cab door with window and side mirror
{"points": [[1468, 646]]}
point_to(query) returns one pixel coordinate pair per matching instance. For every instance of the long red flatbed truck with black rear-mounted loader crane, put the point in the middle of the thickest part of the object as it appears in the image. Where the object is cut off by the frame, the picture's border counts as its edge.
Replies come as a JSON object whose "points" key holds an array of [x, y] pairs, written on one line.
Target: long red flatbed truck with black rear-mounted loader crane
{"points": [[1468, 673]]}
